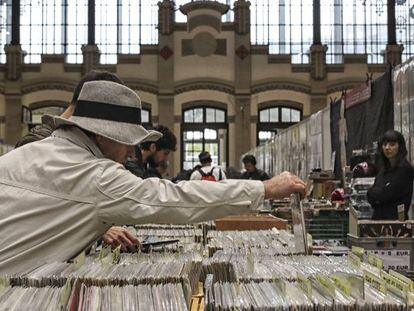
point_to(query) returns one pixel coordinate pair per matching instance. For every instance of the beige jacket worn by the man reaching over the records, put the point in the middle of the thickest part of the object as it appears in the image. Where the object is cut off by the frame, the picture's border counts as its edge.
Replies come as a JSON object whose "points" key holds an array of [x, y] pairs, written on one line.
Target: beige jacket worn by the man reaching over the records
{"points": [[60, 194]]}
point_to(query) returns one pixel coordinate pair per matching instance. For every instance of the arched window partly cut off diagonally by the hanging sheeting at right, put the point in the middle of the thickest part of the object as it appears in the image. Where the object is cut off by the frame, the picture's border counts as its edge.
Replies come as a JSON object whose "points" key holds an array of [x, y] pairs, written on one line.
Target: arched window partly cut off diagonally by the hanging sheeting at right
{"points": [[273, 119]]}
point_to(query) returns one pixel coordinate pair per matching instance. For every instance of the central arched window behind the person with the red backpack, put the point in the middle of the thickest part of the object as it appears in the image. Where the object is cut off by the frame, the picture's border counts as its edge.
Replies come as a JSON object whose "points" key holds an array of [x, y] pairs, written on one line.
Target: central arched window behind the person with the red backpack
{"points": [[204, 128]]}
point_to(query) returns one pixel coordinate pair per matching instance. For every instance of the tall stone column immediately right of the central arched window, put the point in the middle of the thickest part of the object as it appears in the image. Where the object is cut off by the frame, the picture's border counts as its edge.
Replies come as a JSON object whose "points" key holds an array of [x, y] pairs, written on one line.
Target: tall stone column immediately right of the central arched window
{"points": [[242, 81]]}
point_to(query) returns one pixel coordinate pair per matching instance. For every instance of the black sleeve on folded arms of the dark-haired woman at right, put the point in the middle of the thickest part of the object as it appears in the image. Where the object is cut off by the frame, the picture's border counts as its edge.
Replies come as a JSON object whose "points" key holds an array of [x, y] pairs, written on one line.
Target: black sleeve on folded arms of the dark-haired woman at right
{"points": [[400, 185]]}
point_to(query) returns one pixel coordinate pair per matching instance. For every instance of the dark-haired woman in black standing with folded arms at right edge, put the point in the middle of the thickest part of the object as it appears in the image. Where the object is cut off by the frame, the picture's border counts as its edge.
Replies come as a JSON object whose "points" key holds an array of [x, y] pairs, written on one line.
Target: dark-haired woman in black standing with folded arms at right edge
{"points": [[393, 185]]}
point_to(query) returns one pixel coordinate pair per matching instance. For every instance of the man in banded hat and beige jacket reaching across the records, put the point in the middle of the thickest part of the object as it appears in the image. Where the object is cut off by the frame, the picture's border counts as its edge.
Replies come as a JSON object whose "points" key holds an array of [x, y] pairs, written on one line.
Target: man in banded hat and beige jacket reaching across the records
{"points": [[60, 194]]}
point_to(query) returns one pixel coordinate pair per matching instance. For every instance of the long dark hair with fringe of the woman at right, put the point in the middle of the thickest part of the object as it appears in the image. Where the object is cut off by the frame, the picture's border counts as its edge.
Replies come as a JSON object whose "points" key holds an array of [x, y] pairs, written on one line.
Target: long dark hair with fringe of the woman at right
{"points": [[391, 136]]}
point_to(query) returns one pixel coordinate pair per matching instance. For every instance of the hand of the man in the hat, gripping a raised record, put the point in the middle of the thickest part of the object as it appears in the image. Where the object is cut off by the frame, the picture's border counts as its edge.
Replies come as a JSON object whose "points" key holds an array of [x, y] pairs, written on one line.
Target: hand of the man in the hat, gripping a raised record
{"points": [[283, 185]]}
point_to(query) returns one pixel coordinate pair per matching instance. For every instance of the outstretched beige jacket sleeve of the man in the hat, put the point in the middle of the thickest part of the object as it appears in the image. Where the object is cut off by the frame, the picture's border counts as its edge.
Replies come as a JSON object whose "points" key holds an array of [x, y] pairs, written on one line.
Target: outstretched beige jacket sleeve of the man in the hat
{"points": [[126, 199]]}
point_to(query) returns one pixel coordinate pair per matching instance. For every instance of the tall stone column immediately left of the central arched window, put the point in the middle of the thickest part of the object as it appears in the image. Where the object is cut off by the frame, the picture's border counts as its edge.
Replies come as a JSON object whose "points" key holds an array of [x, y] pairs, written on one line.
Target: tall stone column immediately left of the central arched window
{"points": [[166, 73]]}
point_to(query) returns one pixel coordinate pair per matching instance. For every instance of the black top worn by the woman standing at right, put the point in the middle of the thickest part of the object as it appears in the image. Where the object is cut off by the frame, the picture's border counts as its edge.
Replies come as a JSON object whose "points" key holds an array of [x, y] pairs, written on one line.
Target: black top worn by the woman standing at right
{"points": [[392, 188]]}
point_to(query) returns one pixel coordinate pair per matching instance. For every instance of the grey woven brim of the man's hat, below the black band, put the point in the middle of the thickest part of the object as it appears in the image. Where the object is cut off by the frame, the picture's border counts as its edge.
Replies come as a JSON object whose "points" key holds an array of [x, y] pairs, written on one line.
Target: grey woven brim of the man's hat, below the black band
{"points": [[121, 132]]}
